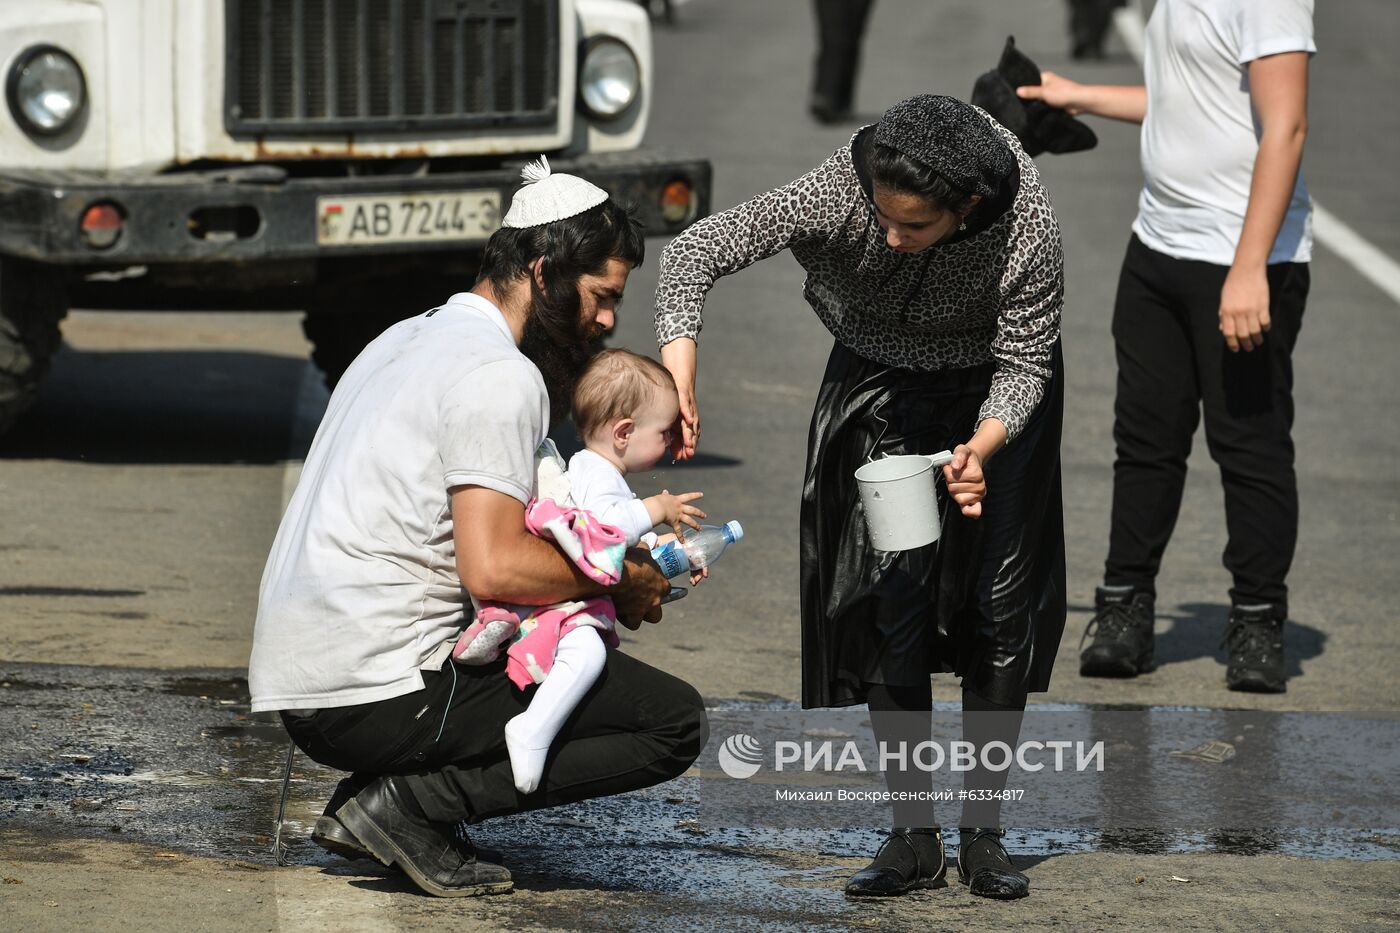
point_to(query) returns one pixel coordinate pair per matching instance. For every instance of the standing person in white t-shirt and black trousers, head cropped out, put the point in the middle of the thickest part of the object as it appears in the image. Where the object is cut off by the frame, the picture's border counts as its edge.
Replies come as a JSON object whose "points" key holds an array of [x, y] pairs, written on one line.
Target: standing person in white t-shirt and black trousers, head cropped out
{"points": [[1209, 307]]}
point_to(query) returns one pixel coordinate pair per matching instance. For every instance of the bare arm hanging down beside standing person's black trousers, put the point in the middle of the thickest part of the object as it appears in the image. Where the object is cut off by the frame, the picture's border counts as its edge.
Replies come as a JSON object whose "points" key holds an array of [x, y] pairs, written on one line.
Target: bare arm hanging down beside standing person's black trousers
{"points": [[1279, 92]]}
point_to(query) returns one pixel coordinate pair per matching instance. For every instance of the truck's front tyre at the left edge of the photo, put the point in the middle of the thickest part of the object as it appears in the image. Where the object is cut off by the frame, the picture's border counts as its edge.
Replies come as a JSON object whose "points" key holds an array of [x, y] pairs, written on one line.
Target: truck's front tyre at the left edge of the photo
{"points": [[33, 302]]}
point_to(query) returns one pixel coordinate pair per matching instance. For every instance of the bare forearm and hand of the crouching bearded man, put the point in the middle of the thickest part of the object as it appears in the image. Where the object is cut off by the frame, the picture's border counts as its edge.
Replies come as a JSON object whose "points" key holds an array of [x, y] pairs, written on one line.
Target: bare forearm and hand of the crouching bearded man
{"points": [[499, 560]]}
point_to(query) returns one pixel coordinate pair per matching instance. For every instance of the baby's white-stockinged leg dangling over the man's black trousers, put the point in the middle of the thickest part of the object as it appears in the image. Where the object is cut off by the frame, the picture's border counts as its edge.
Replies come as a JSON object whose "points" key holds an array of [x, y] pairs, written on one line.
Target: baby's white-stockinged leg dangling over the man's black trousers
{"points": [[579, 661]]}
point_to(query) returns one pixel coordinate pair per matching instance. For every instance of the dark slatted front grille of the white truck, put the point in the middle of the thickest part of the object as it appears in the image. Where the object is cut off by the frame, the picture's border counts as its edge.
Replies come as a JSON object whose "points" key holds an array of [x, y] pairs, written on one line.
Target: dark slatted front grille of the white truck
{"points": [[335, 67]]}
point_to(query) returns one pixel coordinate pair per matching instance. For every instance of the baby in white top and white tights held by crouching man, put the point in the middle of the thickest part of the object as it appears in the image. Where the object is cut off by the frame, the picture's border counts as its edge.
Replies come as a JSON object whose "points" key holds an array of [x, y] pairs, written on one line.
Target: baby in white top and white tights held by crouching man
{"points": [[625, 407]]}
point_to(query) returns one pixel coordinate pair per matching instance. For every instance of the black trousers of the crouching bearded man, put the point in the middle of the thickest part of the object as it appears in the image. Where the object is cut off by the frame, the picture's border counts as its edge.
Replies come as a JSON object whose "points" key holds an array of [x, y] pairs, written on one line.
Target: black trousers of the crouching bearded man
{"points": [[636, 728]]}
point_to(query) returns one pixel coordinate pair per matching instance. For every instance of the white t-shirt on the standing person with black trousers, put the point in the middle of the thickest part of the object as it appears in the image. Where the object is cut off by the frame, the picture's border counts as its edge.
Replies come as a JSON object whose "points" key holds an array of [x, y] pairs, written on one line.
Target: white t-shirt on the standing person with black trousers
{"points": [[1202, 135]]}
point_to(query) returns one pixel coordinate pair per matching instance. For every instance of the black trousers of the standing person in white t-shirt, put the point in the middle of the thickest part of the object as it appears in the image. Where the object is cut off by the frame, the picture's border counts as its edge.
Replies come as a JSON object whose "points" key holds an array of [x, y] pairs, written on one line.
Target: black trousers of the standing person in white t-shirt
{"points": [[1172, 365]]}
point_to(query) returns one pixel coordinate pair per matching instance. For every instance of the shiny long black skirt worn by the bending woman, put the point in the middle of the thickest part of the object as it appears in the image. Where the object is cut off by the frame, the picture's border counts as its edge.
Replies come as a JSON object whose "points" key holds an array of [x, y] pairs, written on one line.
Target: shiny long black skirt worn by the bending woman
{"points": [[986, 602]]}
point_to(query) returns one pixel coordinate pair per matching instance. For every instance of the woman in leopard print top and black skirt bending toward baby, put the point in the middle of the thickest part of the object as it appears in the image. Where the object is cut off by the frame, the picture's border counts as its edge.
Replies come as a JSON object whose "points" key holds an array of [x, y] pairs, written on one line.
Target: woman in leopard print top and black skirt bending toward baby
{"points": [[933, 257]]}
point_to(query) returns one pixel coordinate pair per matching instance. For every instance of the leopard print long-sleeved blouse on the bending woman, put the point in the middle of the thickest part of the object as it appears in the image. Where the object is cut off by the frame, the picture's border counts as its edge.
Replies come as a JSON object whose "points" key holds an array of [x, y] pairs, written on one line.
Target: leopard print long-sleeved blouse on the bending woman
{"points": [[992, 296]]}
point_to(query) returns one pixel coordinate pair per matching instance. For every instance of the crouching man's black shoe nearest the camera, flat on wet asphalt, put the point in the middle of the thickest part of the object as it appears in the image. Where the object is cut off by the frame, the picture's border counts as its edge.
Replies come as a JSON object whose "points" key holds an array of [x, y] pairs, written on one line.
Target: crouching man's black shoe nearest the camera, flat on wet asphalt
{"points": [[439, 861]]}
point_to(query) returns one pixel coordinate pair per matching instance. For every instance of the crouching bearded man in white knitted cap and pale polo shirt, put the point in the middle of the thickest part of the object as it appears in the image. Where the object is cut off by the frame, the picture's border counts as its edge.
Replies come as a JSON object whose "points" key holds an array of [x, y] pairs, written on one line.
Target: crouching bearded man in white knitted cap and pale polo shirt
{"points": [[412, 497]]}
